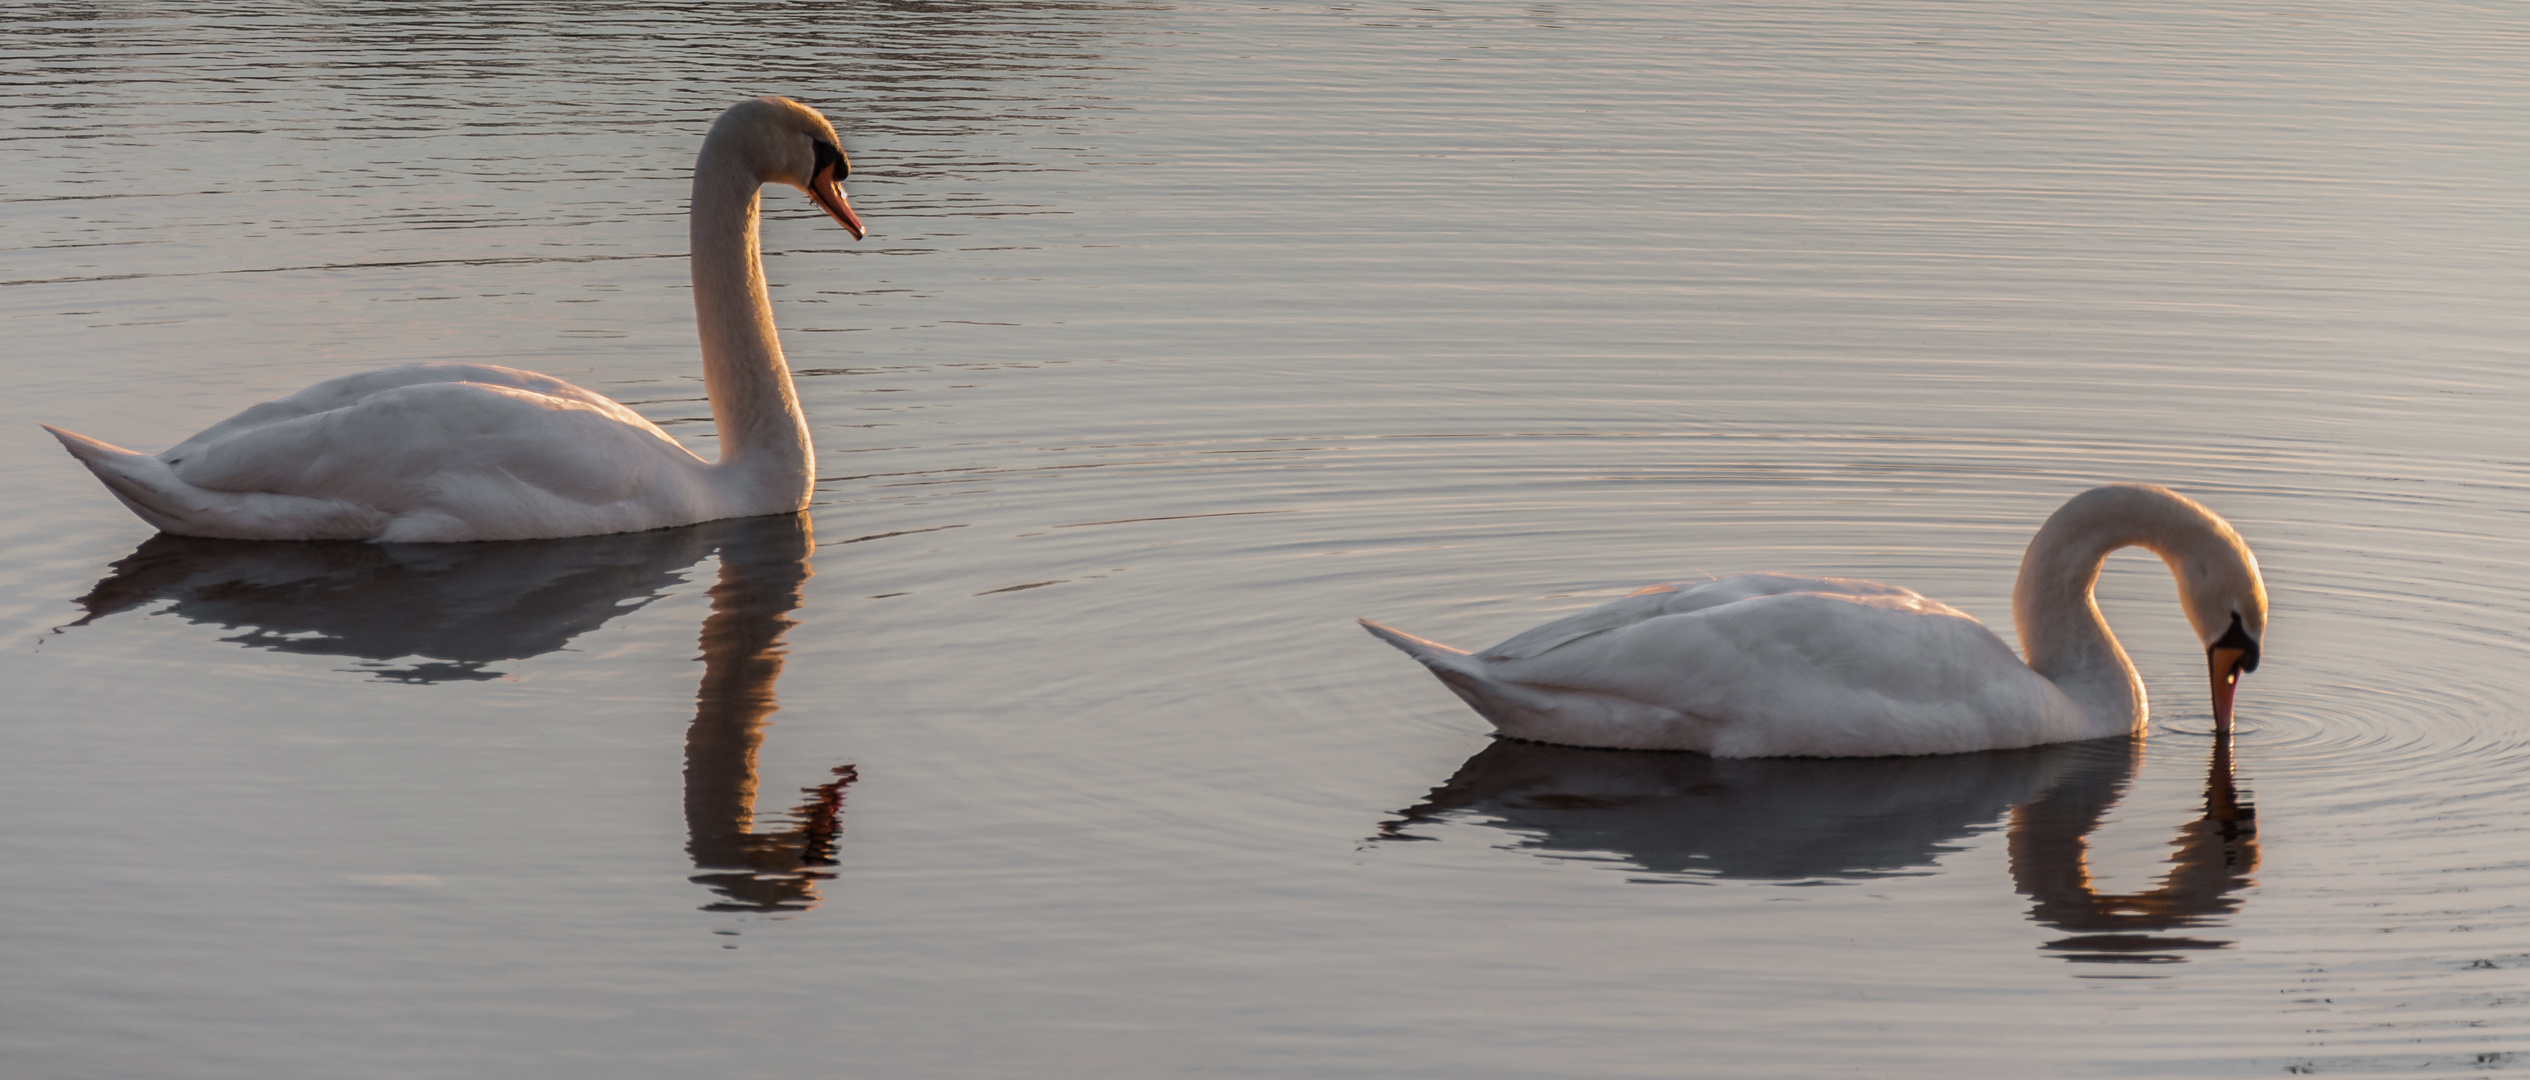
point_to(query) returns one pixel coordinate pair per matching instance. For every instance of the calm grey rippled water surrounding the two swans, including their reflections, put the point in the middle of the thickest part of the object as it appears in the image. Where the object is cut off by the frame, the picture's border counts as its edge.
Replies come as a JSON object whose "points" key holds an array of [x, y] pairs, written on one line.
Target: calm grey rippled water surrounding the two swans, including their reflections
{"points": [[1188, 333]]}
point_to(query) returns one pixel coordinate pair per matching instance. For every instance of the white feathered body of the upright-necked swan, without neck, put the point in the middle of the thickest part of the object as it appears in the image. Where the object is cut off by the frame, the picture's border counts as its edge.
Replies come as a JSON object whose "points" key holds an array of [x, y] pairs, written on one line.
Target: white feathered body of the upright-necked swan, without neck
{"points": [[421, 454]]}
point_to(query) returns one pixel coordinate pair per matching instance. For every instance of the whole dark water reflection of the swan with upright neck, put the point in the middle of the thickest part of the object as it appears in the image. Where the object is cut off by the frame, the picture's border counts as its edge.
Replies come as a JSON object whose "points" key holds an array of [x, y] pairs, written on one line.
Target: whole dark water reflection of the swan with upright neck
{"points": [[434, 613]]}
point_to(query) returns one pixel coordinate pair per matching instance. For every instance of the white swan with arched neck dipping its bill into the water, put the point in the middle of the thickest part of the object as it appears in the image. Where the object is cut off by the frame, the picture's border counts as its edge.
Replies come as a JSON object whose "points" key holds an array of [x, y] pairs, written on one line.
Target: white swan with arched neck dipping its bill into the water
{"points": [[1828, 666]]}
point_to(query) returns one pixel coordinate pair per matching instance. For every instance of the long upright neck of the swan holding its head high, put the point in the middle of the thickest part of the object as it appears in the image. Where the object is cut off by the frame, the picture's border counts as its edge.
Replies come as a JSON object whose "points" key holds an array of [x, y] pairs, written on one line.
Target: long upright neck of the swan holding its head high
{"points": [[763, 431]]}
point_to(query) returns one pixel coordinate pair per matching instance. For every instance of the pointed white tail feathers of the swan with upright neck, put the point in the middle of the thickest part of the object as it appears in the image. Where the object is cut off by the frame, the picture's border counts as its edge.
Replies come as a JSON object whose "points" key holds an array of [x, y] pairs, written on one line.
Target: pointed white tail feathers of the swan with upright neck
{"points": [[171, 505]]}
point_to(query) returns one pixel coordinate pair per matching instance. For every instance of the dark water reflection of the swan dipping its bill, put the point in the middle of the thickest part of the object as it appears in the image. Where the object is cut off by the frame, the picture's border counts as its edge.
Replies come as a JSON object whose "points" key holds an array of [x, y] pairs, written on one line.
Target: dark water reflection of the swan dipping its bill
{"points": [[1793, 821]]}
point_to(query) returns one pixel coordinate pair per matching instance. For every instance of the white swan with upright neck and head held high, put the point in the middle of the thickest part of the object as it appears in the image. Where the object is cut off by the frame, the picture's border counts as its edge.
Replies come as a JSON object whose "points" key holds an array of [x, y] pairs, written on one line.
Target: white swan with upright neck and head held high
{"points": [[479, 451]]}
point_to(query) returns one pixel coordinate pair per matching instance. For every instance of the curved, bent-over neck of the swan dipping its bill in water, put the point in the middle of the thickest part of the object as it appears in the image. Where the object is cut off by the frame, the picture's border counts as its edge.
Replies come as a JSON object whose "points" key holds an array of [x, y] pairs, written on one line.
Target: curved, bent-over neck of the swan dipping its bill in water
{"points": [[2056, 613]]}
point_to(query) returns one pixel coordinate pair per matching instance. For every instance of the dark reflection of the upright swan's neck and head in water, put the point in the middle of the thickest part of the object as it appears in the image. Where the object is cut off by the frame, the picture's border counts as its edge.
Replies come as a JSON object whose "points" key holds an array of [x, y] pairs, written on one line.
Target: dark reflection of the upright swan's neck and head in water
{"points": [[743, 661]]}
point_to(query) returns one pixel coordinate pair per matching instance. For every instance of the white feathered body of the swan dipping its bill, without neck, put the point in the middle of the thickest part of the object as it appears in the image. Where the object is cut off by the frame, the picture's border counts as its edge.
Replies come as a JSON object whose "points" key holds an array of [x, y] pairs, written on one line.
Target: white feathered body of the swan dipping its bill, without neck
{"points": [[1767, 666]]}
